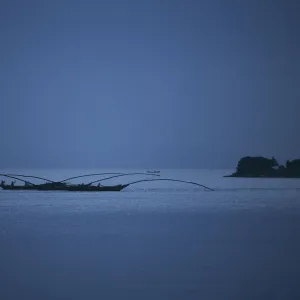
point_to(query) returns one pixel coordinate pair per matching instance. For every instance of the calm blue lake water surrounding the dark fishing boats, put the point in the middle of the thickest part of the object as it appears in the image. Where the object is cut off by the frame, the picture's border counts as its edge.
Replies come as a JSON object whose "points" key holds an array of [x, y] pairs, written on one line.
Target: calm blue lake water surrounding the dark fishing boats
{"points": [[153, 240]]}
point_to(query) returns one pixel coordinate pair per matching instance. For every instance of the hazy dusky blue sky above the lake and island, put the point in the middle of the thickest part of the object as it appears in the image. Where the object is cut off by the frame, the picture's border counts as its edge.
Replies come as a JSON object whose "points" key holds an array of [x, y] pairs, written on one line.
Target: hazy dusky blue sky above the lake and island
{"points": [[158, 84]]}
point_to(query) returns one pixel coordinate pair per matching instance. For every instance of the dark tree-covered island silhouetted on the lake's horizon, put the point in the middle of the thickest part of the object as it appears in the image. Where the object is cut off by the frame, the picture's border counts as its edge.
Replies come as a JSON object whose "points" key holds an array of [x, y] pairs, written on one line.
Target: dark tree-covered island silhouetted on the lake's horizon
{"points": [[258, 166]]}
